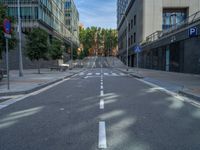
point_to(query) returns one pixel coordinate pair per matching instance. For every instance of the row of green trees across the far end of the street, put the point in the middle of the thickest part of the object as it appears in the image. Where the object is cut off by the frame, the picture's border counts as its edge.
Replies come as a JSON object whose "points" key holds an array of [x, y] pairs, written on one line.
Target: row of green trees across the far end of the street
{"points": [[98, 40]]}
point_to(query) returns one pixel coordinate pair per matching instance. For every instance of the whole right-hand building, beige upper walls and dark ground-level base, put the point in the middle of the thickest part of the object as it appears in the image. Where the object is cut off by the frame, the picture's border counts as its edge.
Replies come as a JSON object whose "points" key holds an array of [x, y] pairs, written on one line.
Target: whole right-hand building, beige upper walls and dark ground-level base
{"points": [[149, 21]]}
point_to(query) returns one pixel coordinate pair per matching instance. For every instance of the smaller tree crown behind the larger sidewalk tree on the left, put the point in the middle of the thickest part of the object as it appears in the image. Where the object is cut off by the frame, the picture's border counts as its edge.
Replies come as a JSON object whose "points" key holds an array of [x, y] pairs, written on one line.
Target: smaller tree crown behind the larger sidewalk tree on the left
{"points": [[56, 49]]}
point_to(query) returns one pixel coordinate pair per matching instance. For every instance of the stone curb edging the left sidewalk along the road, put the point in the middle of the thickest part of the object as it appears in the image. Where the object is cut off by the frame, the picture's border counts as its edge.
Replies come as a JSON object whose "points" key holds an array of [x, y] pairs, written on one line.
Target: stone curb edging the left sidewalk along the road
{"points": [[36, 88]]}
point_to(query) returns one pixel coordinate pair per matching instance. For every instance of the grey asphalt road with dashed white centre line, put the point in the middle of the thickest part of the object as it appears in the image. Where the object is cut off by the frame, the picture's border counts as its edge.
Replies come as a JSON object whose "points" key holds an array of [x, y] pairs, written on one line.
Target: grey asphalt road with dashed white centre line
{"points": [[100, 108]]}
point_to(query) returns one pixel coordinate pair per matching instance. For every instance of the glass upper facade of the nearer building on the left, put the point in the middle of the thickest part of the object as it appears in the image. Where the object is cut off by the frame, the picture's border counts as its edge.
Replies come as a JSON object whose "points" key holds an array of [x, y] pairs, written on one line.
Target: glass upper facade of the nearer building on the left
{"points": [[46, 14]]}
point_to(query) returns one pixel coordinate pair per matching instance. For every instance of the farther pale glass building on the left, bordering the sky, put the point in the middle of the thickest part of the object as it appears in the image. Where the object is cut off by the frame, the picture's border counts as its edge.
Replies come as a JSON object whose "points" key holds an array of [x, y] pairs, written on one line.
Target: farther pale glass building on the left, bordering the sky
{"points": [[72, 18]]}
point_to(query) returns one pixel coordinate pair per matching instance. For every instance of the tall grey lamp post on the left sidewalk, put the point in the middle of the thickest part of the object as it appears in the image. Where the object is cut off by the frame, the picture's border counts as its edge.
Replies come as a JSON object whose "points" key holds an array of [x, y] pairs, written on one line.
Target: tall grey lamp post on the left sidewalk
{"points": [[20, 41]]}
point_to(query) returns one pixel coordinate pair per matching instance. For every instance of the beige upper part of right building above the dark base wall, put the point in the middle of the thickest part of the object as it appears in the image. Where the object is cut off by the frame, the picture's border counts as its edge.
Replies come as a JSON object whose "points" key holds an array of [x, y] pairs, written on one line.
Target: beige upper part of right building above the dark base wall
{"points": [[148, 16]]}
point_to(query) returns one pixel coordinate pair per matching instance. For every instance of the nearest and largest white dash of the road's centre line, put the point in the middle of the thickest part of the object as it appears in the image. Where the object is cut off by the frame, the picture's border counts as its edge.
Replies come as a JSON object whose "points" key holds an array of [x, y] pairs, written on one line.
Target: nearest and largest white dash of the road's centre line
{"points": [[102, 135]]}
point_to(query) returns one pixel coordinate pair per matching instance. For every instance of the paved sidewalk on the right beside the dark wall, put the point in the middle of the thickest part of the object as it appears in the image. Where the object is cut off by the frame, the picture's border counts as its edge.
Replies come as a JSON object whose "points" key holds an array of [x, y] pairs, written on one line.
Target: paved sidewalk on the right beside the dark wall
{"points": [[185, 84]]}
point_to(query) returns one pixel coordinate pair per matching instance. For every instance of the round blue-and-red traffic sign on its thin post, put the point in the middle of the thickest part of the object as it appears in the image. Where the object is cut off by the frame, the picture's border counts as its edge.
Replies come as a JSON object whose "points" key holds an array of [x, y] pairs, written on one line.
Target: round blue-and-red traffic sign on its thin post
{"points": [[7, 35]]}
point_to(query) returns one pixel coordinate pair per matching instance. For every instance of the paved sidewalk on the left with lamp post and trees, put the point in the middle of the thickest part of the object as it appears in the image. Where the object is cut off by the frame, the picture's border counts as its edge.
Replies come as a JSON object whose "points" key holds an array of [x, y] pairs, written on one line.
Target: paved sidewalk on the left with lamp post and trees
{"points": [[31, 81]]}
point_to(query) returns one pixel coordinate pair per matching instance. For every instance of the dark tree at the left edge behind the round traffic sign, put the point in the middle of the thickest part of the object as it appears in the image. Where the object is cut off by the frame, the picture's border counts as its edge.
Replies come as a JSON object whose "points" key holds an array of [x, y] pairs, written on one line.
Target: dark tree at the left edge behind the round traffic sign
{"points": [[12, 41]]}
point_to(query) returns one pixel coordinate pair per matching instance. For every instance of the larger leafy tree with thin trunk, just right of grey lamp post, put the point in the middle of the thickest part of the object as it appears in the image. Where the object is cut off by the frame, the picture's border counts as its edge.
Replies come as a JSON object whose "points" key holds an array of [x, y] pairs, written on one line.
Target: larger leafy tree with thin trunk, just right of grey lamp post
{"points": [[37, 46]]}
